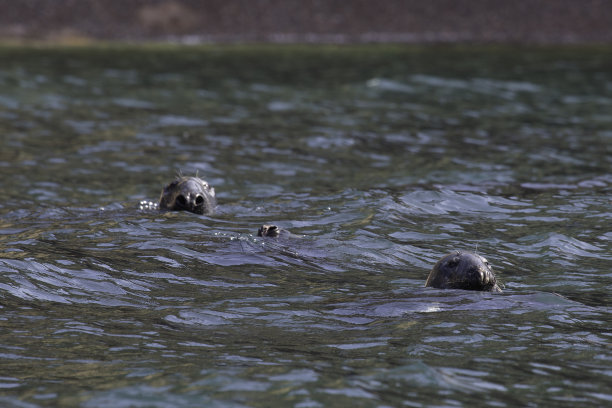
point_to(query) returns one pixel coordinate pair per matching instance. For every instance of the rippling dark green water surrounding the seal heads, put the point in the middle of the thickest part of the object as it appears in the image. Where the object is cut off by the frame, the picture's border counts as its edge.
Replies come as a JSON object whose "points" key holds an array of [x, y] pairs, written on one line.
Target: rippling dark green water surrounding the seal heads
{"points": [[378, 160]]}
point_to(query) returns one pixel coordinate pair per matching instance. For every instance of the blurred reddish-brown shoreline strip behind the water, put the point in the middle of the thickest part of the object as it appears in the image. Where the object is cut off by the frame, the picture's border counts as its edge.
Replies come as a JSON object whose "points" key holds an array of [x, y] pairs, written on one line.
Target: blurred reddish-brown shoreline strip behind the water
{"points": [[307, 21]]}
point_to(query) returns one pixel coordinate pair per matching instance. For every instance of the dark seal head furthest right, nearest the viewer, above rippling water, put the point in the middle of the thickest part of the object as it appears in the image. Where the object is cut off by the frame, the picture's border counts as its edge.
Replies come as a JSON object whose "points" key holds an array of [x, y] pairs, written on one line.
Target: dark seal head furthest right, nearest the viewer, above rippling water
{"points": [[463, 270]]}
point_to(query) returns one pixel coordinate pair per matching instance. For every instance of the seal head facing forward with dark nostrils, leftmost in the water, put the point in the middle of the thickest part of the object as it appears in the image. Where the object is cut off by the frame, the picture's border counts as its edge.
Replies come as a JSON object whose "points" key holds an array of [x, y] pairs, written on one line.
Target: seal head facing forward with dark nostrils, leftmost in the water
{"points": [[188, 194]]}
